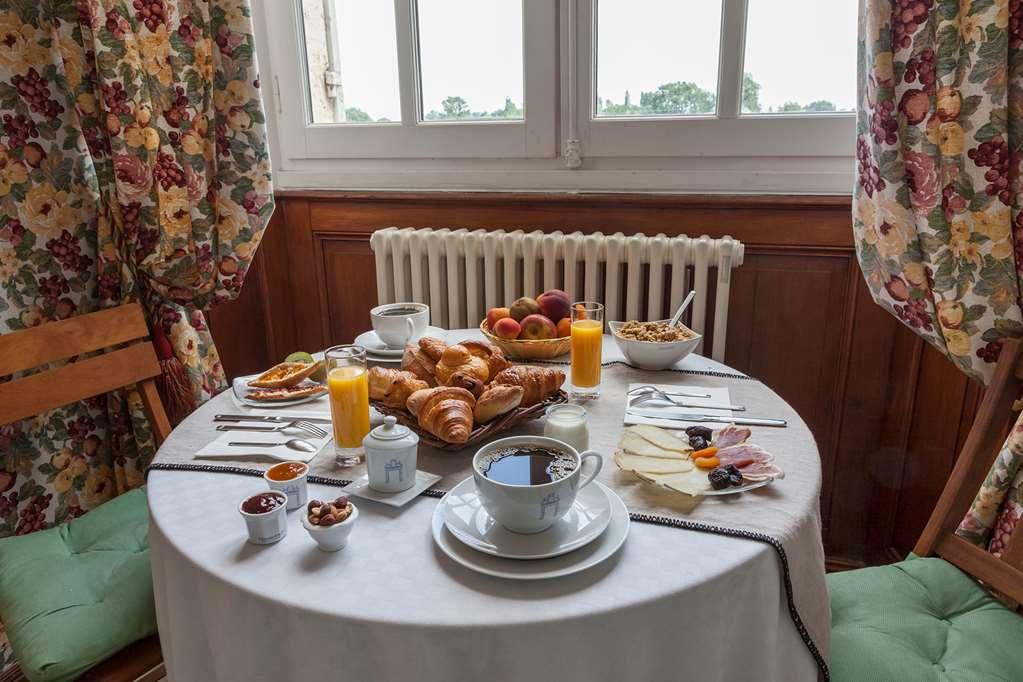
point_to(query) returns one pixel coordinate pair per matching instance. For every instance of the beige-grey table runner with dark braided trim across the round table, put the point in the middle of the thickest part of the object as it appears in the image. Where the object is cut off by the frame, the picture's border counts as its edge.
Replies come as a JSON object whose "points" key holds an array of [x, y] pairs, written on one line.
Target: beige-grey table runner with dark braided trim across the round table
{"points": [[785, 515]]}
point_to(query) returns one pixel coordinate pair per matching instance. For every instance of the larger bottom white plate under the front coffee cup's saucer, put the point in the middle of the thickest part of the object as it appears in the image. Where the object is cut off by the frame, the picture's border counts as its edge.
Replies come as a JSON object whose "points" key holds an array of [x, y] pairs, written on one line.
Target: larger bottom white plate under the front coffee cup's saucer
{"points": [[586, 558]]}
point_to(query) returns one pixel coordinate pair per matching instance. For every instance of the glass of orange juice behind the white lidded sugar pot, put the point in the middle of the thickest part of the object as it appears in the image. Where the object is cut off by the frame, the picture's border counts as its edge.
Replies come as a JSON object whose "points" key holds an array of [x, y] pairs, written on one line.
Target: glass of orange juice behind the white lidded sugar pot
{"points": [[348, 382]]}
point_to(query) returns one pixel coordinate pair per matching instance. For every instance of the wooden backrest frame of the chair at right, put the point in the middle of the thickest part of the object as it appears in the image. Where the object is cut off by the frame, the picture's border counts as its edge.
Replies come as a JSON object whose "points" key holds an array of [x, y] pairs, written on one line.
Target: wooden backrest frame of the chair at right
{"points": [[982, 448]]}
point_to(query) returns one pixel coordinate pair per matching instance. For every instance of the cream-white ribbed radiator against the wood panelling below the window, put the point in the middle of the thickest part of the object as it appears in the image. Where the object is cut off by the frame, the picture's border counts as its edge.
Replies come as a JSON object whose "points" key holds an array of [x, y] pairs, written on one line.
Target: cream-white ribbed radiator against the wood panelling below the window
{"points": [[462, 274]]}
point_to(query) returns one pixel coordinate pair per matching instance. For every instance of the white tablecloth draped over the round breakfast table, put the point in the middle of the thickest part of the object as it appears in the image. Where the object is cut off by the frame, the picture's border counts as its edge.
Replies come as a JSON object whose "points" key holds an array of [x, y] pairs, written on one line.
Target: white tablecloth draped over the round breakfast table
{"points": [[671, 605]]}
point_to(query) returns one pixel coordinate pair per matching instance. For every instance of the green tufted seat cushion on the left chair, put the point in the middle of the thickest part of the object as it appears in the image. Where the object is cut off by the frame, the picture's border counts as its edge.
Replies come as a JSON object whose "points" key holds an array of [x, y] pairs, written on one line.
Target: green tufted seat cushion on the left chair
{"points": [[75, 595]]}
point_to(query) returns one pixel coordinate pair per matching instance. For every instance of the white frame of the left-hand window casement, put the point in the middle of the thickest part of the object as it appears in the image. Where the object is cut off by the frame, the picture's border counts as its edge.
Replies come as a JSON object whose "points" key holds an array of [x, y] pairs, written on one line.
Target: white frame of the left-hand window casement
{"points": [[301, 141]]}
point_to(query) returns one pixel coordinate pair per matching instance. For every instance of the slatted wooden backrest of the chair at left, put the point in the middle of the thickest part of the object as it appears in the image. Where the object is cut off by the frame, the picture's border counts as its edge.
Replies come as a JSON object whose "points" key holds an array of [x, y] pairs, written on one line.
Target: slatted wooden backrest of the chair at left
{"points": [[130, 363]]}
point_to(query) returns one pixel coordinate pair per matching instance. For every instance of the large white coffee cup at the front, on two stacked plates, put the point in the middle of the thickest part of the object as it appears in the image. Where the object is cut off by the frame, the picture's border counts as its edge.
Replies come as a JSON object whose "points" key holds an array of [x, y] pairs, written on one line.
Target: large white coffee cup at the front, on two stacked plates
{"points": [[525, 509]]}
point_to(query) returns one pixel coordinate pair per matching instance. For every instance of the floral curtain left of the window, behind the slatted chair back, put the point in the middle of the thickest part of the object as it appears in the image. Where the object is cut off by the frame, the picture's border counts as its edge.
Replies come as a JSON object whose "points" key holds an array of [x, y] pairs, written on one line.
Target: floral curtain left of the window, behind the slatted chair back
{"points": [[134, 167]]}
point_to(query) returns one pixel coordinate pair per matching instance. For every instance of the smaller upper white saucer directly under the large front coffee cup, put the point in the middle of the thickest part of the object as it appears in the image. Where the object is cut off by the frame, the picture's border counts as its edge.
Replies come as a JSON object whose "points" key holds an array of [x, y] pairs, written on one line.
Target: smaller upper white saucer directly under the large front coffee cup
{"points": [[466, 519]]}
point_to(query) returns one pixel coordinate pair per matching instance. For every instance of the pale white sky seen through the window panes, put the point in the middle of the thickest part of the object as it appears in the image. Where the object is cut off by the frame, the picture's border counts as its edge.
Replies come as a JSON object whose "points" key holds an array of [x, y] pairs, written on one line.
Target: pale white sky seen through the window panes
{"points": [[798, 51]]}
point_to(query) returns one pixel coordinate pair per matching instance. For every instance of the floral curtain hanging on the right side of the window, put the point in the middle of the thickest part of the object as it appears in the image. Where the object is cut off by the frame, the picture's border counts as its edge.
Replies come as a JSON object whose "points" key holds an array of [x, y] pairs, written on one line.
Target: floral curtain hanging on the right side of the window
{"points": [[937, 208]]}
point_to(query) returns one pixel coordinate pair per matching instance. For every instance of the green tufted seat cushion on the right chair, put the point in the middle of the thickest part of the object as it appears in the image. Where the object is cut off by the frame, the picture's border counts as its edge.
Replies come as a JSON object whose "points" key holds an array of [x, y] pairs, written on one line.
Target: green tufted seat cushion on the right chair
{"points": [[922, 620]]}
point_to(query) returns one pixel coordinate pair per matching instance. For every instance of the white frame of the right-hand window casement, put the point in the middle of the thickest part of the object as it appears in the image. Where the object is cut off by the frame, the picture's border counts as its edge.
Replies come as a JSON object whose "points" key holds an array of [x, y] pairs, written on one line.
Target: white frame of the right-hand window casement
{"points": [[727, 133]]}
